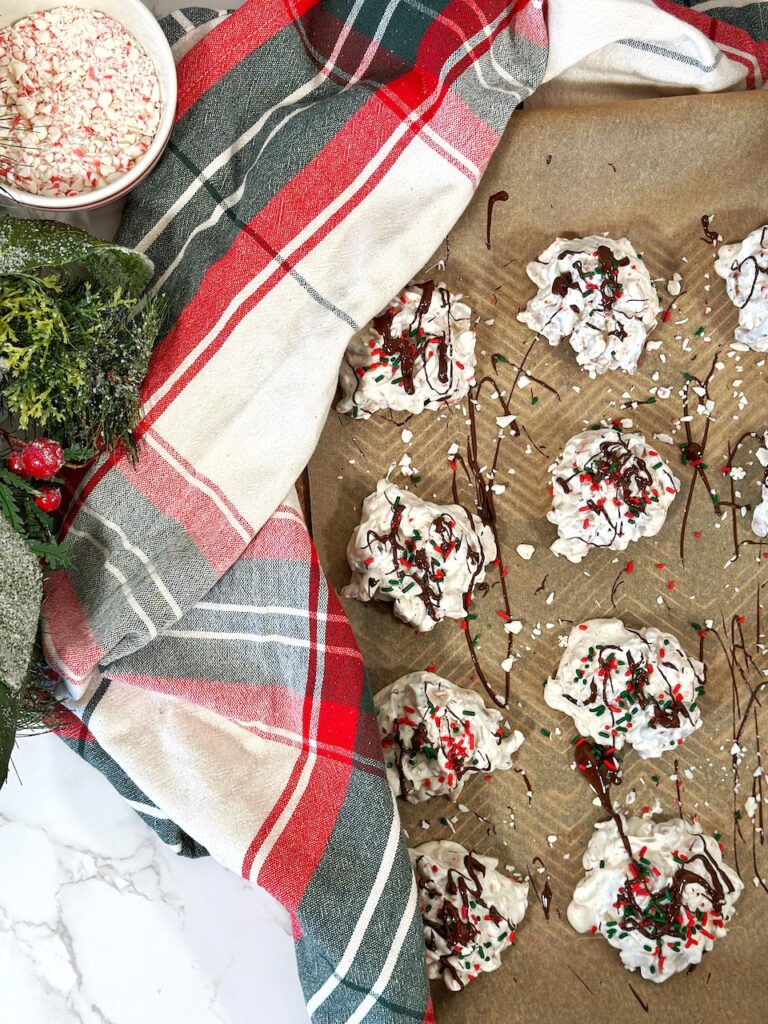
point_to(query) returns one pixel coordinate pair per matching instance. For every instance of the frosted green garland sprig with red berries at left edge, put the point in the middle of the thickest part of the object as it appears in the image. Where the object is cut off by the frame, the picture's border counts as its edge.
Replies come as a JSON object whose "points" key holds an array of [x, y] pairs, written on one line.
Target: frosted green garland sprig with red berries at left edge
{"points": [[77, 329]]}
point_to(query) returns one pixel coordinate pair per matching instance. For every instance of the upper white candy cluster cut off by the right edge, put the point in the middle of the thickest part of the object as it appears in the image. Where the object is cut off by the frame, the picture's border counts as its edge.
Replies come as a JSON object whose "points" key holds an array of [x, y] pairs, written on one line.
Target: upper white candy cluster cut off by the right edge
{"points": [[745, 268]]}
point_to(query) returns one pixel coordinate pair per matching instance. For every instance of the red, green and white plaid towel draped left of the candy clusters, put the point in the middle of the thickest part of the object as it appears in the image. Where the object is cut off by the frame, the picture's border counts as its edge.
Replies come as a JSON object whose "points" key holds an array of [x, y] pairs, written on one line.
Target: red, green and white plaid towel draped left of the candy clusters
{"points": [[321, 153]]}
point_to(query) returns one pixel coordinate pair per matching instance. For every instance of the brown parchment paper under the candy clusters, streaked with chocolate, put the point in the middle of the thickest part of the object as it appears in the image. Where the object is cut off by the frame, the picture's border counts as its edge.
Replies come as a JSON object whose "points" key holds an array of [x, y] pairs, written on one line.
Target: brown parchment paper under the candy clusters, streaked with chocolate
{"points": [[647, 169]]}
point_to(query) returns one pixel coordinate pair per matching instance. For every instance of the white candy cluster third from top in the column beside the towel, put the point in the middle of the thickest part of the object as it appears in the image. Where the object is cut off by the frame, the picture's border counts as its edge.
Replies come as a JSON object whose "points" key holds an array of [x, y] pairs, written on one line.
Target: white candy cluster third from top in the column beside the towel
{"points": [[437, 735]]}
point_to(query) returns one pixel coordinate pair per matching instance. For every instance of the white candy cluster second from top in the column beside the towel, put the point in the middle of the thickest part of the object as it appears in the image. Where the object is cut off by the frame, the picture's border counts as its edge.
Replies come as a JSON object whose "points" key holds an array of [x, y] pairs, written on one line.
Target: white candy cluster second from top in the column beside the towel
{"points": [[425, 559]]}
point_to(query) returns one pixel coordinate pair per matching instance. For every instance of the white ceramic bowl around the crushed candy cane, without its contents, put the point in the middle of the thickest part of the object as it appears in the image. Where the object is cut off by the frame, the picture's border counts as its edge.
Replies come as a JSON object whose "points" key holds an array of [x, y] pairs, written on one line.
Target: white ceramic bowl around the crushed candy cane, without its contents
{"points": [[145, 28]]}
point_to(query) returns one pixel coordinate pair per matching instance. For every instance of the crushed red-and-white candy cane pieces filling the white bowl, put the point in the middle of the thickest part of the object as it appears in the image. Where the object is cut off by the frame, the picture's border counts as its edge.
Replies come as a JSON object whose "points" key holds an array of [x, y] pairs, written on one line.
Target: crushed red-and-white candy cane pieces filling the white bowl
{"points": [[79, 102]]}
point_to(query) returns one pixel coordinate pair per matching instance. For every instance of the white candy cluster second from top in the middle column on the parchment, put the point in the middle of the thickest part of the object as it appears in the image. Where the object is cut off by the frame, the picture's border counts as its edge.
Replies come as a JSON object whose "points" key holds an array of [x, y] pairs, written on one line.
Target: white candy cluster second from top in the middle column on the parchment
{"points": [[609, 489]]}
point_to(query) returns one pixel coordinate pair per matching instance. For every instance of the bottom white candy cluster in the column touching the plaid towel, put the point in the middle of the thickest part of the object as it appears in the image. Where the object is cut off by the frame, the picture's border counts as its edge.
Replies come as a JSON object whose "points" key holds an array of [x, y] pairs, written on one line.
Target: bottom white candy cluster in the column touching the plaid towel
{"points": [[483, 923]]}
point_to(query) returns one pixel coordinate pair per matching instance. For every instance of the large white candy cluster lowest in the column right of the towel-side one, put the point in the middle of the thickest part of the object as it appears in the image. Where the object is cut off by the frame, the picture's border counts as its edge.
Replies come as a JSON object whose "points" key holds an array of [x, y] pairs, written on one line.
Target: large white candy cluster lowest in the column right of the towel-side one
{"points": [[628, 904]]}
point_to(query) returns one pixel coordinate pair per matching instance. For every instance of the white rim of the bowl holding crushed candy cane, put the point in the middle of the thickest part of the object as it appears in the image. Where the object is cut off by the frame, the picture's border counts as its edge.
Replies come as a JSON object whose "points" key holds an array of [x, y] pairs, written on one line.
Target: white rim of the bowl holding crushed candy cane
{"points": [[166, 69]]}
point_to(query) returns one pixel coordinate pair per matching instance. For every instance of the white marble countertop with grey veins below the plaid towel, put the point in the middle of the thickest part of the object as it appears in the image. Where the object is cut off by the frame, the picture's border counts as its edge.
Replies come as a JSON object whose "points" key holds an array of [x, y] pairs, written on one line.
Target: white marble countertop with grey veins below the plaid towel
{"points": [[101, 924]]}
